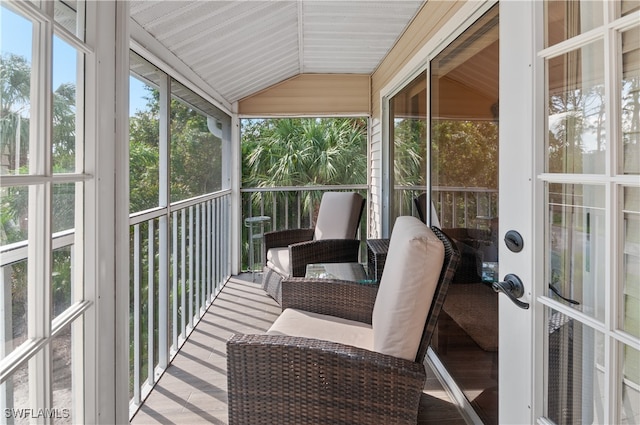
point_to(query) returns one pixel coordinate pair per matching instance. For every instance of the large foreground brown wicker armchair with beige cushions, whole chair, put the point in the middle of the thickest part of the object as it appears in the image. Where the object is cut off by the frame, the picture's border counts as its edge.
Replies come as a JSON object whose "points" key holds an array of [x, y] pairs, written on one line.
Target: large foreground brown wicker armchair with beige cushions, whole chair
{"points": [[340, 347]]}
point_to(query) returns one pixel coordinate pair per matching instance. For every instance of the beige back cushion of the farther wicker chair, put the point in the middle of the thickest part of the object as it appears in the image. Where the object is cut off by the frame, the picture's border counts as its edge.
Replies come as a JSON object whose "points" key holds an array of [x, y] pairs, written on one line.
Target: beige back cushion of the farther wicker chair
{"points": [[339, 215]]}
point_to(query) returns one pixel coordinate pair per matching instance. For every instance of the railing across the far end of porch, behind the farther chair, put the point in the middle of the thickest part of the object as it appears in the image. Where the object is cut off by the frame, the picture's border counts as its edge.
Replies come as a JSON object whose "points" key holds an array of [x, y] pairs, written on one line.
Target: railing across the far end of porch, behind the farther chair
{"points": [[291, 207]]}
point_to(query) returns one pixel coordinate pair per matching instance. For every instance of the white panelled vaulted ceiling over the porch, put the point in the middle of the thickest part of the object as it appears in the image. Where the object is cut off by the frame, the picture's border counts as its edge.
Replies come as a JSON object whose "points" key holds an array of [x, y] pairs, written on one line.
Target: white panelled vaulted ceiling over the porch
{"points": [[241, 47]]}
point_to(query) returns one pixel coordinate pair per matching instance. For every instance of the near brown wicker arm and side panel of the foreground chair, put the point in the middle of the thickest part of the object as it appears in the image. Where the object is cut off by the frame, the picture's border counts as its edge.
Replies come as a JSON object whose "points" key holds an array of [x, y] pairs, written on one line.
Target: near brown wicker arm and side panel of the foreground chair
{"points": [[281, 379]]}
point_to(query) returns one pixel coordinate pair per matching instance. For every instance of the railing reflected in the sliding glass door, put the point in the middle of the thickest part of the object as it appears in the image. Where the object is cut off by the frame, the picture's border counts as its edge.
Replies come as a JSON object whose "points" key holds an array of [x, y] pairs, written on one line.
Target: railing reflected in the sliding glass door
{"points": [[468, 207]]}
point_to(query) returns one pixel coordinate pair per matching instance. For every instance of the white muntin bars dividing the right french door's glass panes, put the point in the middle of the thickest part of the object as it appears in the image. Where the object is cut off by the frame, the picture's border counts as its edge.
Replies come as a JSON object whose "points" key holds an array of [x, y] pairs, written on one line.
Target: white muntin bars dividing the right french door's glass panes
{"points": [[614, 181]]}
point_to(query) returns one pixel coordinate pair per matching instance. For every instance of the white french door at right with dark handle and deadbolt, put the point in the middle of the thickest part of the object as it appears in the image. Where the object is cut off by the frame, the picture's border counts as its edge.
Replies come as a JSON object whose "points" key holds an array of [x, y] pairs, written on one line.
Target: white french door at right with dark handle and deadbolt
{"points": [[570, 181]]}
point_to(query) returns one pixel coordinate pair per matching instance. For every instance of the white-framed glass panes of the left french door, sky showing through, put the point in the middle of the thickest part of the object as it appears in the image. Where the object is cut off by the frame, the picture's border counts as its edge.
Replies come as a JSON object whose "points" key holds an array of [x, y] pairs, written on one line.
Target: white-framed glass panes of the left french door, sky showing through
{"points": [[42, 200]]}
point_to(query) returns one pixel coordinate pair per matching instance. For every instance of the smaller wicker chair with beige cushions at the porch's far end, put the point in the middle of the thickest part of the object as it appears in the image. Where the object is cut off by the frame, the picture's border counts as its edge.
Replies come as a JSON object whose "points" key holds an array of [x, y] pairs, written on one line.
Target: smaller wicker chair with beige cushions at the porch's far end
{"points": [[332, 240]]}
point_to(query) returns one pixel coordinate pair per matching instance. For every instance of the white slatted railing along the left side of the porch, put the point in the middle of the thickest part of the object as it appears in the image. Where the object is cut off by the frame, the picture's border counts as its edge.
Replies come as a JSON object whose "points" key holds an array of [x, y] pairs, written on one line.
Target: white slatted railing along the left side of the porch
{"points": [[180, 257]]}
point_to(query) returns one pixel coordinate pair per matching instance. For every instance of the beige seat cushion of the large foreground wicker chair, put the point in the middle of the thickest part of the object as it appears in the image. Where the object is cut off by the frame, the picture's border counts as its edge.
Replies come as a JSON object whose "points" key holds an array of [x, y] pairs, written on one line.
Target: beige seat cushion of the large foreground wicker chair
{"points": [[300, 323]]}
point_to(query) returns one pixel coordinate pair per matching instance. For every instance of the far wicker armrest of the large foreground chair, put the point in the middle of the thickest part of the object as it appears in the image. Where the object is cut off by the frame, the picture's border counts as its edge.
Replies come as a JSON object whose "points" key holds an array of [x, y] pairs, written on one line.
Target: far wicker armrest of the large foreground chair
{"points": [[339, 298]]}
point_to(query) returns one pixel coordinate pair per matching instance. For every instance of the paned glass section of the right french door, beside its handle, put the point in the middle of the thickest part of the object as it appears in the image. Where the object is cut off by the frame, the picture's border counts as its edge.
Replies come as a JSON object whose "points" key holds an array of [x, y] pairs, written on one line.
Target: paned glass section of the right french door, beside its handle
{"points": [[591, 288]]}
